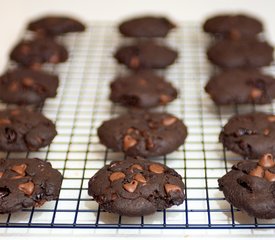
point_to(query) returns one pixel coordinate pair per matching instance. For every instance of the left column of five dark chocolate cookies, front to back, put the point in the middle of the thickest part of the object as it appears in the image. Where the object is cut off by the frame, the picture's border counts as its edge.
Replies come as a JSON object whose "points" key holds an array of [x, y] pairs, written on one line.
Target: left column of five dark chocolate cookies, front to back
{"points": [[31, 182]]}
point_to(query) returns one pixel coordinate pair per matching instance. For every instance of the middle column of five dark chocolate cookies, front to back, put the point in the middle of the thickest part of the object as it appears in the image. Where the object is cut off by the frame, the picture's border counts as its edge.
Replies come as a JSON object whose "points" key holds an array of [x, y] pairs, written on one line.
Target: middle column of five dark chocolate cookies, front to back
{"points": [[135, 186]]}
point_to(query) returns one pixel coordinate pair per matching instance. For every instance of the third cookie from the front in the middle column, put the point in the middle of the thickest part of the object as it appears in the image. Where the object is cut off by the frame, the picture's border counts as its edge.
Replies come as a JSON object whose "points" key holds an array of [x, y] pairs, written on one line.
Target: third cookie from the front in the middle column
{"points": [[143, 89]]}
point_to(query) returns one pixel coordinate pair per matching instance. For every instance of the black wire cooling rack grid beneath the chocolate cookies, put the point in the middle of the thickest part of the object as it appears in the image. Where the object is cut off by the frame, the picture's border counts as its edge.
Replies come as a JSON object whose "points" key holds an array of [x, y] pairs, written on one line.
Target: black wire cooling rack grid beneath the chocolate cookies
{"points": [[81, 106]]}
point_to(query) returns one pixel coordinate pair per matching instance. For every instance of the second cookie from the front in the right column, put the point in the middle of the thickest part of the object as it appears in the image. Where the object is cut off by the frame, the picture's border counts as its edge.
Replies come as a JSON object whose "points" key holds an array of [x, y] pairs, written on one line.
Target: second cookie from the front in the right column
{"points": [[250, 135]]}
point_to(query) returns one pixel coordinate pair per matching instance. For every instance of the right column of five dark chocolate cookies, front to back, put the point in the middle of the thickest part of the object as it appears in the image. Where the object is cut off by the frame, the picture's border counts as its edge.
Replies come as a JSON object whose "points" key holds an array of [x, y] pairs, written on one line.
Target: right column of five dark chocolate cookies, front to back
{"points": [[249, 185]]}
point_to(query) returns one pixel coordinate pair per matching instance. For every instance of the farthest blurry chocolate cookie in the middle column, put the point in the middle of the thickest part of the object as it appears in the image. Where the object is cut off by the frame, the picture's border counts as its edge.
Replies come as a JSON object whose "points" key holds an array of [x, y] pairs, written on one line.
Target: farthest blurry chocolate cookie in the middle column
{"points": [[146, 26]]}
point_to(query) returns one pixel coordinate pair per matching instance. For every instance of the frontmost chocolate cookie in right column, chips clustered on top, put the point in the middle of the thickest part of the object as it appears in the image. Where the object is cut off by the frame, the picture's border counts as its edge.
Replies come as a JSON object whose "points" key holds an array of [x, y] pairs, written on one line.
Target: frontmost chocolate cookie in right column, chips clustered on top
{"points": [[250, 187]]}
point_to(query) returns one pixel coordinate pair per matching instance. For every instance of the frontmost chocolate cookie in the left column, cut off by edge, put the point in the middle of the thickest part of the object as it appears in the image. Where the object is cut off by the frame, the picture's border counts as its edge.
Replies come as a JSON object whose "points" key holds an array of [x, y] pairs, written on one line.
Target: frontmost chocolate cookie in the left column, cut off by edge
{"points": [[27, 183]]}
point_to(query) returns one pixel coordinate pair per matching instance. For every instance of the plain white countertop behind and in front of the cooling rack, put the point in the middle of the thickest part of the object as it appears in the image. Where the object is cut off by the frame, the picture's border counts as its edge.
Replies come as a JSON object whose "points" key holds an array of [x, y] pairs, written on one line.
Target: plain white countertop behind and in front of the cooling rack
{"points": [[16, 13]]}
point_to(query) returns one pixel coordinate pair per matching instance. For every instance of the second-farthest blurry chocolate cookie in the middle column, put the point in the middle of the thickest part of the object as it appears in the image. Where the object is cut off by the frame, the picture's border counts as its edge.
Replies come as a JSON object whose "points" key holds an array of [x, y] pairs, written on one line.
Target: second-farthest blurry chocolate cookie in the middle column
{"points": [[146, 55]]}
